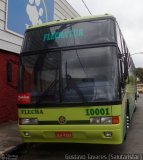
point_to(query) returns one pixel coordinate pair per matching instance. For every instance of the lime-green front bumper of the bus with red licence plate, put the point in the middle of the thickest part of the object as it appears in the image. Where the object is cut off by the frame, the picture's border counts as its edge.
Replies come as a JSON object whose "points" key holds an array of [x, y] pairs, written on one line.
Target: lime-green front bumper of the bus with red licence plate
{"points": [[72, 134]]}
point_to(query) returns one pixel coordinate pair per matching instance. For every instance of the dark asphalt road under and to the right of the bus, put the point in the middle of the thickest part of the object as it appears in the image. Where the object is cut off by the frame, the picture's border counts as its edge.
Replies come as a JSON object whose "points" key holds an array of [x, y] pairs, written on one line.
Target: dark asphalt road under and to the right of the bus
{"points": [[132, 148]]}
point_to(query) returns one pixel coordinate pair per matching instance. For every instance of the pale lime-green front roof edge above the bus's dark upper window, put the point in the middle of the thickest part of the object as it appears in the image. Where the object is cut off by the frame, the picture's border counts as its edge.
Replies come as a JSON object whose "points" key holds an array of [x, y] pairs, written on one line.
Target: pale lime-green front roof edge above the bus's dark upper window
{"points": [[71, 20]]}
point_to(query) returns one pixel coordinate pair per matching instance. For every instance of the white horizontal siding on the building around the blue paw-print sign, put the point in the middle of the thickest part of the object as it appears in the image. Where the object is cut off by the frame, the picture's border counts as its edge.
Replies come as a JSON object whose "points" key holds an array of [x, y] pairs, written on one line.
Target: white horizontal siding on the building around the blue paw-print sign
{"points": [[12, 42]]}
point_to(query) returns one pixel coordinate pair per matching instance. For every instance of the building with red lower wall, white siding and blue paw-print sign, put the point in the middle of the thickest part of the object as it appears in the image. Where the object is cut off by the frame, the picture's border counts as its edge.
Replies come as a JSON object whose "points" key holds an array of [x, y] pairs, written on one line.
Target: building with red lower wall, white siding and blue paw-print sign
{"points": [[10, 46]]}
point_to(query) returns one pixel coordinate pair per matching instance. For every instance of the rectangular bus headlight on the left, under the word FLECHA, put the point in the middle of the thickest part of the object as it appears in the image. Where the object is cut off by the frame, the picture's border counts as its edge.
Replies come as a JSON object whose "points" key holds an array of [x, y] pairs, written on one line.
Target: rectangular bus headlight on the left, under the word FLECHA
{"points": [[28, 121]]}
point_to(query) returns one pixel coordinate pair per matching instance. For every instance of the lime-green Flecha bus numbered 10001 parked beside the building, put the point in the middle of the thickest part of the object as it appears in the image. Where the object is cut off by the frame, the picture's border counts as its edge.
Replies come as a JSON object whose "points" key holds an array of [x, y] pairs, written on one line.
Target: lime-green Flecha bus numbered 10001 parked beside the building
{"points": [[77, 82]]}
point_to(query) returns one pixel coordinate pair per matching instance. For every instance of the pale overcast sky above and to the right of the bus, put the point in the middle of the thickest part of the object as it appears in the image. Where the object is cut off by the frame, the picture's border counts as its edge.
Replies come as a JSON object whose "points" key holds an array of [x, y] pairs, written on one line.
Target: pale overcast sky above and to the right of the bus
{"points": [[129, 15]]}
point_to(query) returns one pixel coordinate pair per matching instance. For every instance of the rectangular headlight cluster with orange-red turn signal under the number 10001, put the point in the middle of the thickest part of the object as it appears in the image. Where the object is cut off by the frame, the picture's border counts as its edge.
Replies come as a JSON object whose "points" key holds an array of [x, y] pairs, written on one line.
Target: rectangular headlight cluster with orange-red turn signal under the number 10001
{"points": [[104, 120]]}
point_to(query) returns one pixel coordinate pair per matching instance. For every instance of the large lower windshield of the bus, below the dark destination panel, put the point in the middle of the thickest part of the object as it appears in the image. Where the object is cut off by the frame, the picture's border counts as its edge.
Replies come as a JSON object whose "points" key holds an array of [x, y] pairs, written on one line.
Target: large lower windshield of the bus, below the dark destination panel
{"points": [[73, 76]]}
